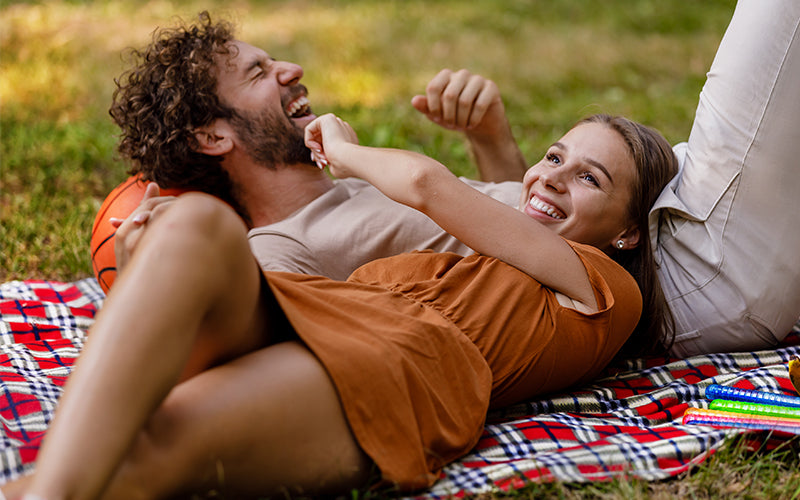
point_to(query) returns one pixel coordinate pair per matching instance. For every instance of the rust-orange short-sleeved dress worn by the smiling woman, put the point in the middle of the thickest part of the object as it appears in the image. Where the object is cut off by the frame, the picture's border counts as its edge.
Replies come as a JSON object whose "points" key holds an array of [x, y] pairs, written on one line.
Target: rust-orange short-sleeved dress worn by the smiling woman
{"points": [[421, 345]]}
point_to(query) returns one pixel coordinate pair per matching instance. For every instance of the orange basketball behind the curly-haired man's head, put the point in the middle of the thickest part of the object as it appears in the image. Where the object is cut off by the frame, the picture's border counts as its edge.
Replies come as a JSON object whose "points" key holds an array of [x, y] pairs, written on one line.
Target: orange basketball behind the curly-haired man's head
{"points": [[119, 203]]}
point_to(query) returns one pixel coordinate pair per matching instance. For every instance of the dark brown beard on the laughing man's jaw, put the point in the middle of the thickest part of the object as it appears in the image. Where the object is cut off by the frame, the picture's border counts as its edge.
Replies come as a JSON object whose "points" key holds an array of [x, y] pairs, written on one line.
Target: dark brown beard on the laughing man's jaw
{"points": [[271, 140]]}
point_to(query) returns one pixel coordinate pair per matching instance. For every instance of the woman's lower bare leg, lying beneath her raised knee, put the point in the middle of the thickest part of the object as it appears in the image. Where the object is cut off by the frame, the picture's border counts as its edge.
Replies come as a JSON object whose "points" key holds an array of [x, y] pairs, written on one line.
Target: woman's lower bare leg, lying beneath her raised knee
{"points": [[268, 423]]}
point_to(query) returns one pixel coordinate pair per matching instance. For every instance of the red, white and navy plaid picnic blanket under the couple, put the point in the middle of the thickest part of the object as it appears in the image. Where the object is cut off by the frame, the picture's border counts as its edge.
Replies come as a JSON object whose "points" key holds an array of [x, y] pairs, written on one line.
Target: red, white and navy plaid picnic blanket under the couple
{"points": [[624, 425]]}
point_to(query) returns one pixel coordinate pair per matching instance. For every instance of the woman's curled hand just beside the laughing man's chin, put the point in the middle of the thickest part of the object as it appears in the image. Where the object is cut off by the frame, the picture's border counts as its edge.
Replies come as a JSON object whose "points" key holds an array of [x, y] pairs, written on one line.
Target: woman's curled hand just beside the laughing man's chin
{"points": [[325, 137]]}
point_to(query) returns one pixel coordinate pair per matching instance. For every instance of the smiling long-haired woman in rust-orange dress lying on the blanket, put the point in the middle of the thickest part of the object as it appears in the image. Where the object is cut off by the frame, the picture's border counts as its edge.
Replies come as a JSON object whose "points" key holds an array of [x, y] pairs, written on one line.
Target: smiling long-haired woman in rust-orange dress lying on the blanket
{"points": [[394, 368]]}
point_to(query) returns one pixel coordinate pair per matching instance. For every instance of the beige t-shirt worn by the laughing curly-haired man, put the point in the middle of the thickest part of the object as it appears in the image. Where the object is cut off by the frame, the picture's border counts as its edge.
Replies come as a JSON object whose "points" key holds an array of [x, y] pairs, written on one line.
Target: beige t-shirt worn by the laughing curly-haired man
{"points": [[353, 224]]}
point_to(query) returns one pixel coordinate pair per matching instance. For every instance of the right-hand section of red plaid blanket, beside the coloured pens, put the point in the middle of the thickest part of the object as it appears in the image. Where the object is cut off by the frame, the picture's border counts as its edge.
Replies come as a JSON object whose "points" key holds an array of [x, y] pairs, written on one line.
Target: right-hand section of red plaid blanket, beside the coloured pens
{"points": [[627, 424]]}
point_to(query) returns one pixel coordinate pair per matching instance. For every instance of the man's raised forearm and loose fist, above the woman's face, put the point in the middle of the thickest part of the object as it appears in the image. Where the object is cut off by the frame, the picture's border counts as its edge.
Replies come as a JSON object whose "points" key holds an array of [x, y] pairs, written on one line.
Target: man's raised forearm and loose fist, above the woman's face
{"points": [[472, 104]]}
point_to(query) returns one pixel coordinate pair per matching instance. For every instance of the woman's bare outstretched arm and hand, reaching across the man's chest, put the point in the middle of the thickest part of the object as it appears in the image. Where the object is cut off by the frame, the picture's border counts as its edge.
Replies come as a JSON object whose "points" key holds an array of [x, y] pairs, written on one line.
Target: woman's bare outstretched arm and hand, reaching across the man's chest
{"points": [[484, 224]]}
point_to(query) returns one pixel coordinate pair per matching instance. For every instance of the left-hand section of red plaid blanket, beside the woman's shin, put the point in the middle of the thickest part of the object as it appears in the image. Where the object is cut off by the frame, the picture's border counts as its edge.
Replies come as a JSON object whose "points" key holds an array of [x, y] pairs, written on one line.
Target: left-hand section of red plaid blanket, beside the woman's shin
{"points": [[42, 328]]}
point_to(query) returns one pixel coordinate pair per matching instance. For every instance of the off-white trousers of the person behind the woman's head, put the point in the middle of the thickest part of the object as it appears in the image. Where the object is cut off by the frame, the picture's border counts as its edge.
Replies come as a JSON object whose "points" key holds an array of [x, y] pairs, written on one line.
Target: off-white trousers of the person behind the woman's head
{"points": [[725, 230]]}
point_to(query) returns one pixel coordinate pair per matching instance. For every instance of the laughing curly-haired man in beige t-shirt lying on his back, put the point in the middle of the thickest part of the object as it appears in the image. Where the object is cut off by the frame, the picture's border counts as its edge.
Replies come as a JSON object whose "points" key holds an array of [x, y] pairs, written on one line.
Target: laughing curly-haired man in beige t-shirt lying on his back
{"points": [[239, 117]]}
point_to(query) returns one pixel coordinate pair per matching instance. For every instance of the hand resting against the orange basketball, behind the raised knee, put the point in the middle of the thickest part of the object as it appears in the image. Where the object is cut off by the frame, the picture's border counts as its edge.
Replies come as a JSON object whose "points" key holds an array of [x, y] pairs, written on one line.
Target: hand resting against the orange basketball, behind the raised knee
{"points": [[130, 230]]}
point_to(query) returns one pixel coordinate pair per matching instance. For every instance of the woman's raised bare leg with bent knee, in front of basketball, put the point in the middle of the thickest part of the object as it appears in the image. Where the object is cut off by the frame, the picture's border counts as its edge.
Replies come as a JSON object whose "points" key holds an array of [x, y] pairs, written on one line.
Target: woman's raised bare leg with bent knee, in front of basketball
{"points": [[191, 282]]}
